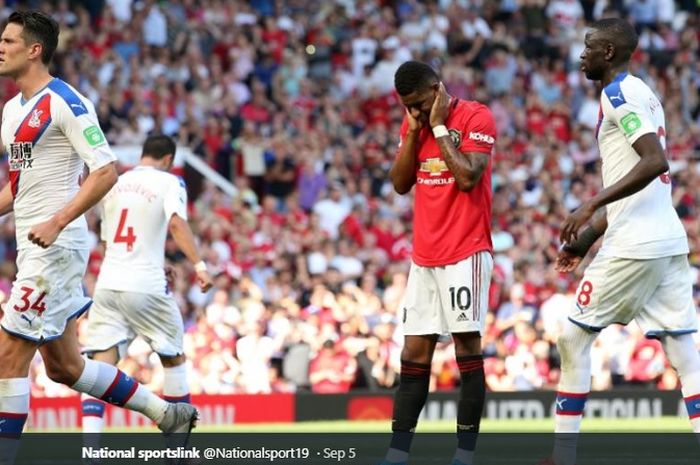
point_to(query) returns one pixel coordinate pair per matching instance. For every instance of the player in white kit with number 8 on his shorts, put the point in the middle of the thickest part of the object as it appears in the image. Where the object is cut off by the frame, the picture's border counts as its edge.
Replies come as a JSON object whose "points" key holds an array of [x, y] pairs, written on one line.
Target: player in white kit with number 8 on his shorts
{"points": [[641, 271]]}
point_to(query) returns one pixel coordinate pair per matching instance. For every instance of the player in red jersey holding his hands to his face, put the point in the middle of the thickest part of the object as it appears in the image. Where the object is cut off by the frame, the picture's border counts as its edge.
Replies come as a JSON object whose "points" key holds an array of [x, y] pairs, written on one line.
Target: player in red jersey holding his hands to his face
{"points": [[444, 150]]}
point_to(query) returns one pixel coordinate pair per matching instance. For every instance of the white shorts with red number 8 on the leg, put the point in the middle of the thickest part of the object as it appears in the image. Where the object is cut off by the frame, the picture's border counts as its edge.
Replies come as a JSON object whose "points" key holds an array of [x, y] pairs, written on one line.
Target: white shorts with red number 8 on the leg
{"points": [[657, 293]]}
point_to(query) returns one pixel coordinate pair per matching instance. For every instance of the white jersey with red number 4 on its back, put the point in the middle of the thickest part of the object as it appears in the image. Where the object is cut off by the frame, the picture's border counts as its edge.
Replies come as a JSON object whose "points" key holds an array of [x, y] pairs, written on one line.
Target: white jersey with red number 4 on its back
{"points": [[135, 217]]}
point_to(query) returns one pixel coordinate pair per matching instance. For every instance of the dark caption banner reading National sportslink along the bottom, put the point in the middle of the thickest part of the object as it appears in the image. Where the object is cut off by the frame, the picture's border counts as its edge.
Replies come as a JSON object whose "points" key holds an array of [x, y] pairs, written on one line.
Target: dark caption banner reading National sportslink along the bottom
{"points": [[343, 448]]}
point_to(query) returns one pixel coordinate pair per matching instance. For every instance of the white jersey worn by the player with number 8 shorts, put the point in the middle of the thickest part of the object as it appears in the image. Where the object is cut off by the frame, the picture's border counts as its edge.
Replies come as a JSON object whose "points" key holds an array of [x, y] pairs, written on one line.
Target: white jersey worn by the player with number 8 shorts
{"points": [[644, 225]]}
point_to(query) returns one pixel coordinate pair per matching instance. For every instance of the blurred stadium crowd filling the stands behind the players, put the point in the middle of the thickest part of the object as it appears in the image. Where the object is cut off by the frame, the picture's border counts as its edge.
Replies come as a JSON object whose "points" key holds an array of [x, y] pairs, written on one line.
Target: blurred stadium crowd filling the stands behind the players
{"points": [[293, 102]]}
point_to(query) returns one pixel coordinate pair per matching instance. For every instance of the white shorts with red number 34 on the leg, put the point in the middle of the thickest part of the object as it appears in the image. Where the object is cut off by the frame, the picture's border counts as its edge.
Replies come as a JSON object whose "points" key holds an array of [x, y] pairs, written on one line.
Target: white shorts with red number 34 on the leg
{"points": [[47, 292]]}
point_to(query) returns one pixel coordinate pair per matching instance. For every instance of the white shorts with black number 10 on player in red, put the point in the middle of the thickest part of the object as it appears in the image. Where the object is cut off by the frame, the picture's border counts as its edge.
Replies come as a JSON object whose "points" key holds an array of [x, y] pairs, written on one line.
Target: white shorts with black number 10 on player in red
{"points": [[447, 299]]}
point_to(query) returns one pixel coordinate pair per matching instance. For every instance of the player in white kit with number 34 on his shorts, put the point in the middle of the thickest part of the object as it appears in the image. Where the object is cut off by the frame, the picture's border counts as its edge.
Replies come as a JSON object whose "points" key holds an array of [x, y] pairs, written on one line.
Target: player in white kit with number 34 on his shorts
{"points": [[50, 131]]}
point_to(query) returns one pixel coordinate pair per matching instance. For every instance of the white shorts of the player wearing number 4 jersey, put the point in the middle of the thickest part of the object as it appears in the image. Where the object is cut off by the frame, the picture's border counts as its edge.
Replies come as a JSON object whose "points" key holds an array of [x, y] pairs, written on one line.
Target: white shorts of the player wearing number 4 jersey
{"points": [[117, 317]]}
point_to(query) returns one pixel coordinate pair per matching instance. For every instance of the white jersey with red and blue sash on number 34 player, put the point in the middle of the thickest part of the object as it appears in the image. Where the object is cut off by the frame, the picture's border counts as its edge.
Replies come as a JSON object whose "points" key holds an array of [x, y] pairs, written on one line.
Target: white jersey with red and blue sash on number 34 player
{"points": [[49, 138]]}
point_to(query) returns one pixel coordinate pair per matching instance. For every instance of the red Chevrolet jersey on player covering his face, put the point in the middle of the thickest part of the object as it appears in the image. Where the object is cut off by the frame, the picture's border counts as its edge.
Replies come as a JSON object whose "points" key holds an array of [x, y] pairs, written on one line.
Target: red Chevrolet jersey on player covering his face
{"points": [[450, 225]]}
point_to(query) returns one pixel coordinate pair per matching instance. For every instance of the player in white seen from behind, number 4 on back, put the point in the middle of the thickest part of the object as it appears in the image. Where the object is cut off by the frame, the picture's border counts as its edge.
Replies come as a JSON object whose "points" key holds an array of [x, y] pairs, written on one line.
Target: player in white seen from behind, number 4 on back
{"points": [[131, 294]]}
